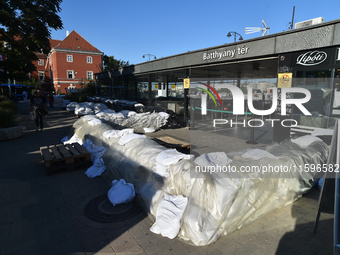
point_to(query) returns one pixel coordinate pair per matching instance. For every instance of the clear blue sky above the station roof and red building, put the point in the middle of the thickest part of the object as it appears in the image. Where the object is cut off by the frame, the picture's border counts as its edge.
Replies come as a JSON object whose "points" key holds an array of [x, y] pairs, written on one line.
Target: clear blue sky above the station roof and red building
{"points": [[130, 29]]}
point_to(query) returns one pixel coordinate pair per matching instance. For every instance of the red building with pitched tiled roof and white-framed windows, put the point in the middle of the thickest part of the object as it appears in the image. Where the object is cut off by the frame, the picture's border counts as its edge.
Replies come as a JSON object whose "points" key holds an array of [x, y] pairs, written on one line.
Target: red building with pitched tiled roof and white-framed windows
{"points": [[70, 63]]}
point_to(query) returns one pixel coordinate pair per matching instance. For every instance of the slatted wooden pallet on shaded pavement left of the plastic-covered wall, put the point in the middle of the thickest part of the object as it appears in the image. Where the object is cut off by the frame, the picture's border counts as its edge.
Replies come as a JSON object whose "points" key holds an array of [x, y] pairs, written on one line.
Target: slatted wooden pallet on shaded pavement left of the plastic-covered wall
{"points": [[65, 157]]}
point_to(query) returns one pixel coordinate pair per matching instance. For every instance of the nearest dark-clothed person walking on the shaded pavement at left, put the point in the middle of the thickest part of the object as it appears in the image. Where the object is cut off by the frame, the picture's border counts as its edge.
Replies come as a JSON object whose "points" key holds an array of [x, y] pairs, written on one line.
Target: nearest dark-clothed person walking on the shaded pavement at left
{"points": [[38, 102]]}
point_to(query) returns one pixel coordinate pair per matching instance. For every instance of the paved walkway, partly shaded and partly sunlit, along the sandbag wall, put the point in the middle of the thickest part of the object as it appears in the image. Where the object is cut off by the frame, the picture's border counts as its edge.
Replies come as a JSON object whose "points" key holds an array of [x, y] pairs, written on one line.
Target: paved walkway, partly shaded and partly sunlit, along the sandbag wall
{"points": [[42, 214]]}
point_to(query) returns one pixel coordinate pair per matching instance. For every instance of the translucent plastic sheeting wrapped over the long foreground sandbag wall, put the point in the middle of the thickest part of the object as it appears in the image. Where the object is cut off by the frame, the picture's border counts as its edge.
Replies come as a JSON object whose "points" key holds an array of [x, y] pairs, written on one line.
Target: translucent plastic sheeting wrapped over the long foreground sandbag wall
{"points": [[220, 202]]}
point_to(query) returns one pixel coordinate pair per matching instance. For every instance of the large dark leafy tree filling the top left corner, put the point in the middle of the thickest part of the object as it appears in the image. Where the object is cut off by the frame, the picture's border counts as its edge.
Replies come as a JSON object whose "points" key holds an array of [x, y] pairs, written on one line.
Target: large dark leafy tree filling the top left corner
{"points": [[25, 30]]}
